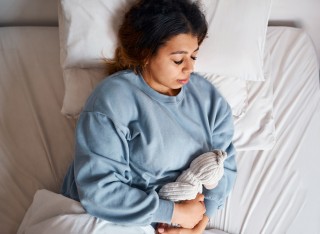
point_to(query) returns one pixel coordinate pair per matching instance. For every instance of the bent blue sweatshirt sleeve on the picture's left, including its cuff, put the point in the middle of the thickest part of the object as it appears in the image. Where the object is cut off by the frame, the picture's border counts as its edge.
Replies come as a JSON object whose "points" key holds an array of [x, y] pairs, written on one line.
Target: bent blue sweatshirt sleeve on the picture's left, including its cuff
{"points": [[103, 176]]}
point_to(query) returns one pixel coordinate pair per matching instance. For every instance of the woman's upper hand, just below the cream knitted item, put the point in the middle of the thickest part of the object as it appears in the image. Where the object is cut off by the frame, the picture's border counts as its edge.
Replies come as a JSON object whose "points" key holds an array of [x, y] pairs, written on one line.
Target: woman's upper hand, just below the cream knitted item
{"points": [[189, 213]]}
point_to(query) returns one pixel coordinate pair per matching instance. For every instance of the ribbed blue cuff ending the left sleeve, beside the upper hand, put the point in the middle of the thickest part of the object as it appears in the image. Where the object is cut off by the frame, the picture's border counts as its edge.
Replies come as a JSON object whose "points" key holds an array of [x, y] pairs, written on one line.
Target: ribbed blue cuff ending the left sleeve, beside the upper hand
{"points": [[164, 212]]}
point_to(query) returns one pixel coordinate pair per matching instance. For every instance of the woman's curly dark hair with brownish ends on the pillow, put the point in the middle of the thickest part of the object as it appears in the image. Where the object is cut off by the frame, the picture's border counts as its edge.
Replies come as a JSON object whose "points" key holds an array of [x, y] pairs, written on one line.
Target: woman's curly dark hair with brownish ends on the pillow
{"points": [[148, 25]]}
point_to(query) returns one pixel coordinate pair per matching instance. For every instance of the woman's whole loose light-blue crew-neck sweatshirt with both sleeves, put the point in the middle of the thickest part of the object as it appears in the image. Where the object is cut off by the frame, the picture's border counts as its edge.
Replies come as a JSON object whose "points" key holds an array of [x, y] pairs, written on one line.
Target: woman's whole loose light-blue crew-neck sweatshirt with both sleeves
{"points": [[131, 140]]}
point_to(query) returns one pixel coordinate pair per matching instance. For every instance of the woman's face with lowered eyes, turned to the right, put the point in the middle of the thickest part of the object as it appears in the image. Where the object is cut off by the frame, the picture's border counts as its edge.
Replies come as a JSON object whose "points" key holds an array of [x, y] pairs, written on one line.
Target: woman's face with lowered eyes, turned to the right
{"points": [[168, 70]]}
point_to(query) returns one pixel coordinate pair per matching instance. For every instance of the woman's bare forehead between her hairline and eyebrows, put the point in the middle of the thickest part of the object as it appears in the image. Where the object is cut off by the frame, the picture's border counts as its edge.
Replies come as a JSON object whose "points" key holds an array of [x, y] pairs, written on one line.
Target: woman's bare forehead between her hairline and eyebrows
{"points": [[182, 43]]}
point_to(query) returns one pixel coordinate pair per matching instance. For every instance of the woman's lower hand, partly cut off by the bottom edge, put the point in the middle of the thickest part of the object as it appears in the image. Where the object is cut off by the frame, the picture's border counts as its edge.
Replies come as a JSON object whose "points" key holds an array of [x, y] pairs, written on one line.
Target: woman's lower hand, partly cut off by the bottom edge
{"points": [[198, 229]]}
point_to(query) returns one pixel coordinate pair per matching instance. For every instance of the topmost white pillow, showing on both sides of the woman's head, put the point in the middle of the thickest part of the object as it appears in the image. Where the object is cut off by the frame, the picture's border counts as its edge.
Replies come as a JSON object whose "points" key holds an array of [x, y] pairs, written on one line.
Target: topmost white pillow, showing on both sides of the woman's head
{"points": [[237, 31]]}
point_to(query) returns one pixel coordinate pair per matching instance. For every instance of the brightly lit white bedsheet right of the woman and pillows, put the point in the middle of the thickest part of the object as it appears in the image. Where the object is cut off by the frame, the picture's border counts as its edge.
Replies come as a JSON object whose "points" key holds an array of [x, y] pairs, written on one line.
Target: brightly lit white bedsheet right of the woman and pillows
{"points": [[278, 191]]}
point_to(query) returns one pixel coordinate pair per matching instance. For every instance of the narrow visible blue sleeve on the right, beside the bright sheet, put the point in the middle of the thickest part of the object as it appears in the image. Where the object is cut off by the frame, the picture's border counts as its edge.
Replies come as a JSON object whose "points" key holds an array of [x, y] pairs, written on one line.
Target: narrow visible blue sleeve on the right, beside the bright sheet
{"points": [[222, 135]]}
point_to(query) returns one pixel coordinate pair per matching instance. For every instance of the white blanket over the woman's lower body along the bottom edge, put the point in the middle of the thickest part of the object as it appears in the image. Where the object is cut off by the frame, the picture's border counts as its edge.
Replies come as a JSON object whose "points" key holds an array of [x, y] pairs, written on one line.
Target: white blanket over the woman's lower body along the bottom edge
{"points": [[53, 213]]}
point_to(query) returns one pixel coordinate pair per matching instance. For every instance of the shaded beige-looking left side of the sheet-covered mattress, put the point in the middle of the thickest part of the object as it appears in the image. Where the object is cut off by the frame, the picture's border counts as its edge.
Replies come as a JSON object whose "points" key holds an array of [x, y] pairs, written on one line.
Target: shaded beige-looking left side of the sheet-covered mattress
{"points": [[36, 141]]}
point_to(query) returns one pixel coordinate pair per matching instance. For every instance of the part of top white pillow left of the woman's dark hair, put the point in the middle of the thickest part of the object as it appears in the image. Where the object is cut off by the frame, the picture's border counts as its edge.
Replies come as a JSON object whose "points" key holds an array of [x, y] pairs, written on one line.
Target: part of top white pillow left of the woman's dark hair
{"points": [[88, 31]]}
